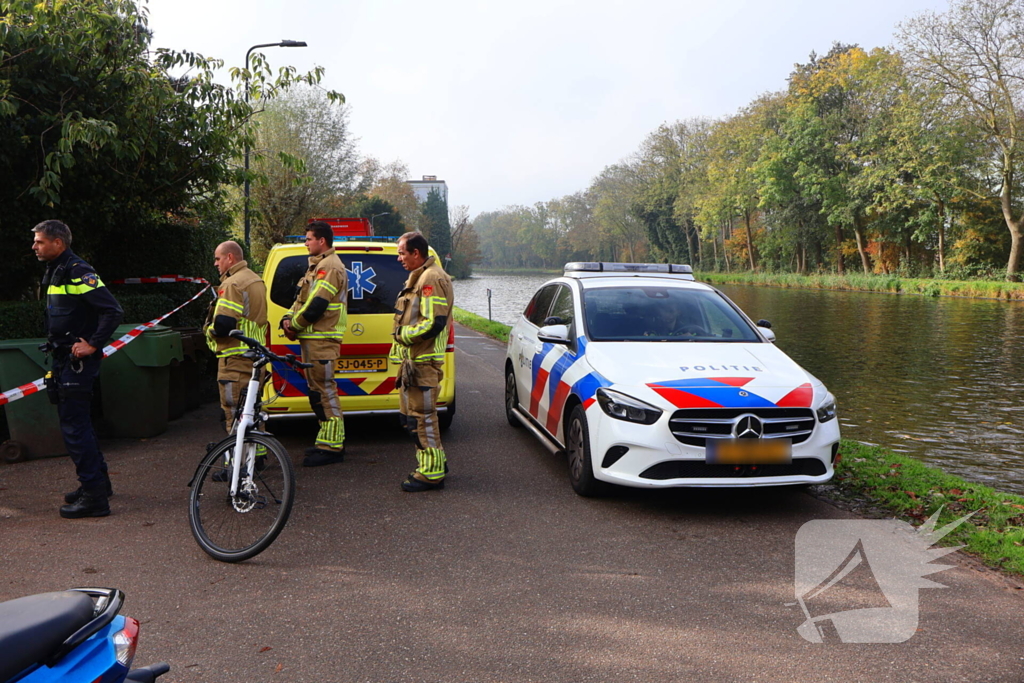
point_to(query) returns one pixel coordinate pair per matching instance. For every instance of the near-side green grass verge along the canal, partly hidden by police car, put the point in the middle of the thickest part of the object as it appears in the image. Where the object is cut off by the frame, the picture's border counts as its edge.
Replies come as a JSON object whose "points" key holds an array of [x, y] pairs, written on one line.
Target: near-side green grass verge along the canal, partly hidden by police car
{"points": [[875, 482]]}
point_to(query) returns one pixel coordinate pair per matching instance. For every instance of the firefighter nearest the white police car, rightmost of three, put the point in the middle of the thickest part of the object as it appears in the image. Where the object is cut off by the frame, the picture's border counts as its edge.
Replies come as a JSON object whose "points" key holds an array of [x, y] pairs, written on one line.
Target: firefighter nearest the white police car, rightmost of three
{"points": [[420, 337]]}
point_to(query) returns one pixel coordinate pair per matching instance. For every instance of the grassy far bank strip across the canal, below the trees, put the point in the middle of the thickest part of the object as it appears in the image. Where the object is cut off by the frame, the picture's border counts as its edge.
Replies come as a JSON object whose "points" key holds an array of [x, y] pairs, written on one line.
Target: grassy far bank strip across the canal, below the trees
{"points": [[976, 289]]}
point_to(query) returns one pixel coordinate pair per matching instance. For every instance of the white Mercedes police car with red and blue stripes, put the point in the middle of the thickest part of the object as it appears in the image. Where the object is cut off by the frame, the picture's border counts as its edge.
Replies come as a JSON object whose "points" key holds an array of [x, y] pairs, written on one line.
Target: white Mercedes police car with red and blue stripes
{"points": [[646, 378]]}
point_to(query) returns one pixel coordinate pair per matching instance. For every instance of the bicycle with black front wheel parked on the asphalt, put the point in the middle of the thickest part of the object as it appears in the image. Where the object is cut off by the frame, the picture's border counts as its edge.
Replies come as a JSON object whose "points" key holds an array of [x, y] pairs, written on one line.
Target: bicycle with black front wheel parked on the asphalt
{"points": [[243, 490]]}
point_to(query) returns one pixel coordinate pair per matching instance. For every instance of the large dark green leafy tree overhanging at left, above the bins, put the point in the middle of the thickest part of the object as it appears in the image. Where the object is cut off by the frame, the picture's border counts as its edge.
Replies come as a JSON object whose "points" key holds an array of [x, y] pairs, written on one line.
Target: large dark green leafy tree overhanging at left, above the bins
{"points": [[98, 133]]}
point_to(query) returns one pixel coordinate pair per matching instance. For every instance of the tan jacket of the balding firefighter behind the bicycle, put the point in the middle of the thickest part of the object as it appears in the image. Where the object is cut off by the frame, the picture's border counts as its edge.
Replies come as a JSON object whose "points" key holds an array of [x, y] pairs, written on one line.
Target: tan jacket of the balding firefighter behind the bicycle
{"points": [[241, 305]]}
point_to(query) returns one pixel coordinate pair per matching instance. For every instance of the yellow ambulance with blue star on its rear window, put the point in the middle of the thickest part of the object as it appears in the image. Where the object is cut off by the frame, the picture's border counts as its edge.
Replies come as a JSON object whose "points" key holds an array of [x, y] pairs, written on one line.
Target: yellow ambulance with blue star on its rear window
{"points": [[366, 379]]}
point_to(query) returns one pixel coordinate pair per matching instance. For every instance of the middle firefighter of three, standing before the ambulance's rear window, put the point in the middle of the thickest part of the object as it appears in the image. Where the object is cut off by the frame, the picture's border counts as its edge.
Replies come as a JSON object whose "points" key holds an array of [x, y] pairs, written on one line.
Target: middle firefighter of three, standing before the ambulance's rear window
{"points": [[318, 320]]}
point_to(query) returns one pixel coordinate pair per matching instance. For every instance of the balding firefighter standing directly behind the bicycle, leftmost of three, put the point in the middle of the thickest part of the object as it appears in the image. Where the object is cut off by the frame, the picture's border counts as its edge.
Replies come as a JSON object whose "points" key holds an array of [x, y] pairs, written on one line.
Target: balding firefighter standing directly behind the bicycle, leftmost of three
{"points": [[241, 305]]}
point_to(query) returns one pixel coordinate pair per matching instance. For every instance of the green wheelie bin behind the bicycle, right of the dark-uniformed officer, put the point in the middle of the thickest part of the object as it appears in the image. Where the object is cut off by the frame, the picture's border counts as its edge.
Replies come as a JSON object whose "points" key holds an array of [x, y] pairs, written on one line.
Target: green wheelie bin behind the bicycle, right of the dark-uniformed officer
{"points": [[135, 383]]}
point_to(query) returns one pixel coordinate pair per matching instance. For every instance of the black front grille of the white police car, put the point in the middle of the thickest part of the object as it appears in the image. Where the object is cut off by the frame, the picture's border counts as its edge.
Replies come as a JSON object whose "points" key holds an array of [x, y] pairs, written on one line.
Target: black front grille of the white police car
{"points": [[695, 426]]}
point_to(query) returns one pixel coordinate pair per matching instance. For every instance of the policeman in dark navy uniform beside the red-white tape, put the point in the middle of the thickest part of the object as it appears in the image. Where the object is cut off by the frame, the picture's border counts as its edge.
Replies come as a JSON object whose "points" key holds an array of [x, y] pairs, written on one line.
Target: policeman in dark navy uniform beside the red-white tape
{"points": [[81, 316]]}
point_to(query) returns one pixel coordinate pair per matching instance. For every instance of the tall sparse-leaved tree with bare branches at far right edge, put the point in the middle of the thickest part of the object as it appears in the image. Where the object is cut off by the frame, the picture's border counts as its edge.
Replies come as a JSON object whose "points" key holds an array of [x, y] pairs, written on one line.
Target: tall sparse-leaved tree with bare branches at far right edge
{"points": [[976, 54]]}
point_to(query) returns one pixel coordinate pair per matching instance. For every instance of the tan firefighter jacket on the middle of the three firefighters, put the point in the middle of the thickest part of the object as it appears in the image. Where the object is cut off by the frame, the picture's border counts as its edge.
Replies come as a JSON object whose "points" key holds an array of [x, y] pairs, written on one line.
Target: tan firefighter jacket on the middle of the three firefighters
{"points": [[319, 312]]}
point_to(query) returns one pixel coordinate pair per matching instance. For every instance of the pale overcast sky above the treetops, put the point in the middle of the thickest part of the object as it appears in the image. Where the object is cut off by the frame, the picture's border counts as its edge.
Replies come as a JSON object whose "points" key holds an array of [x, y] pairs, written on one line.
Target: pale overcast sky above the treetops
{"points": [[519, 103]]}
